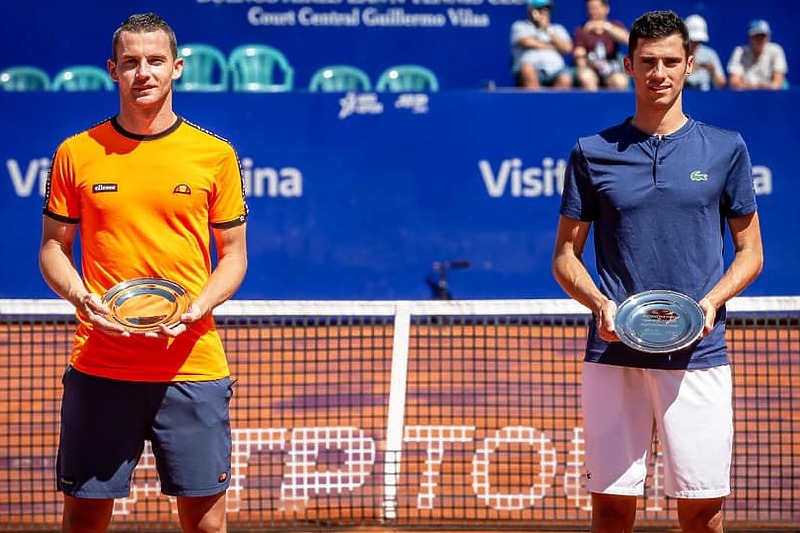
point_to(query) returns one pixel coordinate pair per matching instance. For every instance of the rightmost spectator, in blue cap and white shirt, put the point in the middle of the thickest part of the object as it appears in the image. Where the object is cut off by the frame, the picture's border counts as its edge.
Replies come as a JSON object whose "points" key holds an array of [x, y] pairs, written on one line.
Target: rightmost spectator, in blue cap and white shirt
{"points": [[761, 64]]}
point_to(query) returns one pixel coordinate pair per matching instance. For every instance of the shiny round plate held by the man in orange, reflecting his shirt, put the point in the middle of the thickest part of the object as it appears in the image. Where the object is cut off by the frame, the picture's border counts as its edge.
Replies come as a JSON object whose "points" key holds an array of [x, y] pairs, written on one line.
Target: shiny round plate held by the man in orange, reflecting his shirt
{"points": [[144, 304]]}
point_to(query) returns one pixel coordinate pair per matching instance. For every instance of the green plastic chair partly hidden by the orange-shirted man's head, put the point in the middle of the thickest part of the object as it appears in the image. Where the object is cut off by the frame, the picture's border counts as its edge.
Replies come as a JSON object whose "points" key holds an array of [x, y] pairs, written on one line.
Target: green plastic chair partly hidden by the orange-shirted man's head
{"points": [[205, 69]]}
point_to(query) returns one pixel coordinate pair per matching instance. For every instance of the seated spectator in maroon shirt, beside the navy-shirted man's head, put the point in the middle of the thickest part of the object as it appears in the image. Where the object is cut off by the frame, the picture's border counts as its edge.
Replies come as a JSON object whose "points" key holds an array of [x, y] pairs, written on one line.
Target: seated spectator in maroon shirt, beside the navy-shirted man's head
{"points": [[597, 49]]}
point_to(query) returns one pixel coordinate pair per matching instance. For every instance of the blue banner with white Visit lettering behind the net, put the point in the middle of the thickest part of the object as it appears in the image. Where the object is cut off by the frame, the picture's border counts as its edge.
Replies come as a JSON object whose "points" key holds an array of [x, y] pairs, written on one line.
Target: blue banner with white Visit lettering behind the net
{"points": [[364, 196]]}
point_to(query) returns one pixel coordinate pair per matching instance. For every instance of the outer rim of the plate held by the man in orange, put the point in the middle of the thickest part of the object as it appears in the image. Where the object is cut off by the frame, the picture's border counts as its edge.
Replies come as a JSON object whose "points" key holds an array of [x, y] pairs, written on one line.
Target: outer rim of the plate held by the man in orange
{"points": [[125, 291]]}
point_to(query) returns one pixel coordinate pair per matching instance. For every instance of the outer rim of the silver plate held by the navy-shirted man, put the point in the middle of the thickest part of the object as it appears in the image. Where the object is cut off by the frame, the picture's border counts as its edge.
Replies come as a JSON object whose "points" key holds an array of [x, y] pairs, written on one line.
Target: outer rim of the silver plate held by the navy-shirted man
{"points": [[637, 303]]}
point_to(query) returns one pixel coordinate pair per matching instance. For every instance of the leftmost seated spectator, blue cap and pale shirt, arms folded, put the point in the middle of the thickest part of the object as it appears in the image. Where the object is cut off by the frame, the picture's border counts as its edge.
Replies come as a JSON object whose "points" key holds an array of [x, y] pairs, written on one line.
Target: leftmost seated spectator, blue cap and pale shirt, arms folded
{"points": [[538, 48]]}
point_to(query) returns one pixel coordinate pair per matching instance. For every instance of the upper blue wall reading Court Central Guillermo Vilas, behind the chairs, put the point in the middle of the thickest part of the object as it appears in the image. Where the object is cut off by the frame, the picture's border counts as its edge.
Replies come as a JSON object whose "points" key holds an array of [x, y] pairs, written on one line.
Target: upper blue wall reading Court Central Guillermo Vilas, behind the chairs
{"points": [[465, 42]]}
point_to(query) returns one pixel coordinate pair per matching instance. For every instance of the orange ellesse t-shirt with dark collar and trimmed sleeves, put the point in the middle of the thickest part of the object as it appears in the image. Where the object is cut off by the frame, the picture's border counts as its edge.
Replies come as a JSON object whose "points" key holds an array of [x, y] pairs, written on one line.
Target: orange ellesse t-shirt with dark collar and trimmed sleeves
{"points": [[145, 206]]}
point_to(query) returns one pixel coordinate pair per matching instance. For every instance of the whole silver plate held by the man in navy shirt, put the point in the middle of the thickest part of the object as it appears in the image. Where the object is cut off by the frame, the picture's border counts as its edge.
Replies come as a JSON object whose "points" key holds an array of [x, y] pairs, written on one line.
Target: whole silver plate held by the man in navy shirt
{"points": [[659, 321]]}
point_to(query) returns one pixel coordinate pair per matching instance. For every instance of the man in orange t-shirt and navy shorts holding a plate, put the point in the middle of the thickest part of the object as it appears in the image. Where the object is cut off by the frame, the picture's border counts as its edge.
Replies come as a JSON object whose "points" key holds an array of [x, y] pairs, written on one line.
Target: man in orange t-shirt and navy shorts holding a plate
{"points": [[147, 190]]}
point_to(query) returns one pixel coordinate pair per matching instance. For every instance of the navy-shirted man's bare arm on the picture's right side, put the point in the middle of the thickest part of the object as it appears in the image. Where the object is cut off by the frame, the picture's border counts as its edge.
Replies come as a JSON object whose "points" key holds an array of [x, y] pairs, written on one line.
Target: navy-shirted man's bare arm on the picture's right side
{"points": [[747, 263]]}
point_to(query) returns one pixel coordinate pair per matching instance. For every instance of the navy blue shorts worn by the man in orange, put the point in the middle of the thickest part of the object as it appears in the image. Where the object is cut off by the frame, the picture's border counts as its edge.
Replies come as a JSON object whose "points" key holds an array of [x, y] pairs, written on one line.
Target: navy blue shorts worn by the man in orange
{"points": [[105, 422]]}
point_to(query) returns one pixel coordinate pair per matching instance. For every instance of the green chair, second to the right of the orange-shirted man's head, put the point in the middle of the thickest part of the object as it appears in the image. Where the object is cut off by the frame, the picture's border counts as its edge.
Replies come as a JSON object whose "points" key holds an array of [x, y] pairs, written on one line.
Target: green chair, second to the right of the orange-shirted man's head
{"points": [[260, 68]]}
